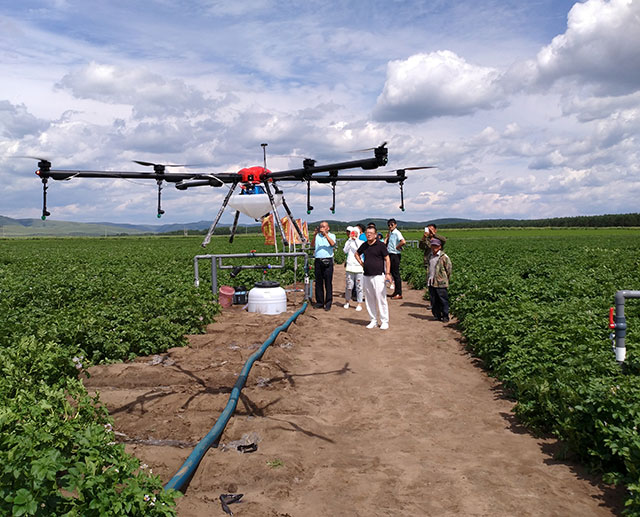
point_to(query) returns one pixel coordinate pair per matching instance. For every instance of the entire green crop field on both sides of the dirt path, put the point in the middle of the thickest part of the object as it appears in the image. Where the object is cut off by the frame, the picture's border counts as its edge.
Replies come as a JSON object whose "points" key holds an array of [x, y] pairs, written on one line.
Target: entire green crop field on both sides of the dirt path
{"points": [[532, 304]]}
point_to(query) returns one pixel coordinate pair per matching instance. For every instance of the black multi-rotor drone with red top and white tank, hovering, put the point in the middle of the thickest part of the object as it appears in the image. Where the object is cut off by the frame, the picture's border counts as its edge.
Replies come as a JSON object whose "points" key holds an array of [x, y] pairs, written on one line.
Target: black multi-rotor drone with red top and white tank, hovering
{"points": [[259, 192]]}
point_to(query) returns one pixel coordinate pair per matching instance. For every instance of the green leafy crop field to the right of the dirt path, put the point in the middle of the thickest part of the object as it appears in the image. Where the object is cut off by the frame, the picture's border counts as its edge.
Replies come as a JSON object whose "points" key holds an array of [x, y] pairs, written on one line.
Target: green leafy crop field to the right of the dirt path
{"points": [[533, 306]]}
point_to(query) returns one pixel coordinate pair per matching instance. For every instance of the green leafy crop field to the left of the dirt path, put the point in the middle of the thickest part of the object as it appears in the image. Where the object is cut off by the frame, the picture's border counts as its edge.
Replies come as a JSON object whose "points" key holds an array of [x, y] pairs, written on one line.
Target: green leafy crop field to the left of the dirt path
{"points": [[69, 303]]}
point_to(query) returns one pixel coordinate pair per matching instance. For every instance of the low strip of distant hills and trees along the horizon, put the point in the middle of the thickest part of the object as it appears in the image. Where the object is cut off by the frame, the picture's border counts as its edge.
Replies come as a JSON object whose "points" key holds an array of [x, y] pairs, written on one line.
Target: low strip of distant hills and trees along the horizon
{"points": [[35, 227]]}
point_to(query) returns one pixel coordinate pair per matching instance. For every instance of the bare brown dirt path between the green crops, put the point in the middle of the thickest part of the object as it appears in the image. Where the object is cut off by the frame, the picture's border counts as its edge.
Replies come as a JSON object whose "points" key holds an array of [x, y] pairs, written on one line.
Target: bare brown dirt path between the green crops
{"points": [[350, 421]]}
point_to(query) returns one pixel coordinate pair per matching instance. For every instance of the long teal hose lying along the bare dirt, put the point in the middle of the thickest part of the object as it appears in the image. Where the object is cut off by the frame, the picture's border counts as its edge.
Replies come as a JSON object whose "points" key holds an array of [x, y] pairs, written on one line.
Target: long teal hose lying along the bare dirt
{"points": [[190, 465]]}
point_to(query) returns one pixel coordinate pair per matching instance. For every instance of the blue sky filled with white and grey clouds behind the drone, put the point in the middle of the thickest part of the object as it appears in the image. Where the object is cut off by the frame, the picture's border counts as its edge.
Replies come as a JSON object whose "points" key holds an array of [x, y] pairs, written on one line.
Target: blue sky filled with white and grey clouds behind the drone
{"points": [[526, 109]]}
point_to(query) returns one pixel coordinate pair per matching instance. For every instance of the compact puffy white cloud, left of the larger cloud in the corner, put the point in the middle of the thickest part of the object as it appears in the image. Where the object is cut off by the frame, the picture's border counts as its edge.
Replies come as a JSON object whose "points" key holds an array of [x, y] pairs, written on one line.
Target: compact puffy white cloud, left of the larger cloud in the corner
{"points": [[436, 84]]}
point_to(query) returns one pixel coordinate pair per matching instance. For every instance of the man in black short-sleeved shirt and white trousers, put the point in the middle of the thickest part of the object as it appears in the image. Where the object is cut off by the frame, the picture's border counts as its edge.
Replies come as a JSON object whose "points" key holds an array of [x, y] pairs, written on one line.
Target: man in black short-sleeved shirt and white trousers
{"points": [[376, 270]]}
